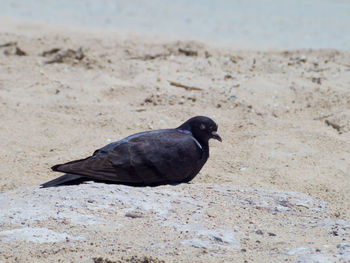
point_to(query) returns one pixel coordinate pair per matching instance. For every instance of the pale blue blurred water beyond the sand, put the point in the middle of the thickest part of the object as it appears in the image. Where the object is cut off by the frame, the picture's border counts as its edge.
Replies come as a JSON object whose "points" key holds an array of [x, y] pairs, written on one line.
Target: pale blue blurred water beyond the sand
{"points": [[245, 23]]}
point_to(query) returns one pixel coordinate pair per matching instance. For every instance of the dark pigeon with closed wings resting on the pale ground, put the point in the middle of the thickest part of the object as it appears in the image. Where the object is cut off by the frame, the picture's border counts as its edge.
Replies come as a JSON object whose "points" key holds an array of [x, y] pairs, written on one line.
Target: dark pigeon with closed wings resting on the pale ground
{"points": [[151, 158]]}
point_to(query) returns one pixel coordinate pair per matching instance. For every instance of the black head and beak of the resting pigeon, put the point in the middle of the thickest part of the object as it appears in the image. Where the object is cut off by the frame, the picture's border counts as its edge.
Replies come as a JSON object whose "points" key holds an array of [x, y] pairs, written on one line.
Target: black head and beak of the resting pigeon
{"points": [[202, 128]]}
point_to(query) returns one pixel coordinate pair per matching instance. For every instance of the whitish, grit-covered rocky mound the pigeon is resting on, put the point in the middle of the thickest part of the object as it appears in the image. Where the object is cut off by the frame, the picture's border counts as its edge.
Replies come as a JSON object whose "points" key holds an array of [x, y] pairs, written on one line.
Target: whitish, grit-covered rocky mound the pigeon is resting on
{"points": [[217, 223]]}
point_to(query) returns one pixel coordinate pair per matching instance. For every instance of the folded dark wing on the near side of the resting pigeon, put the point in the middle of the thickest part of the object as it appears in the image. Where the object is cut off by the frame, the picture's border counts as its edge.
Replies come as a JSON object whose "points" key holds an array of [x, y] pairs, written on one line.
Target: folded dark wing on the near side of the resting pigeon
{"points": [[147, 158]]}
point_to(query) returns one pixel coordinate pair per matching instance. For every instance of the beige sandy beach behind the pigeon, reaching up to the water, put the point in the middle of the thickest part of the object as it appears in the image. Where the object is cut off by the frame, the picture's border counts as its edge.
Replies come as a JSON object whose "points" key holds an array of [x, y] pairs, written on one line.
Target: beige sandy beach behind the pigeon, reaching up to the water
{"points": [[284, 116]]}
